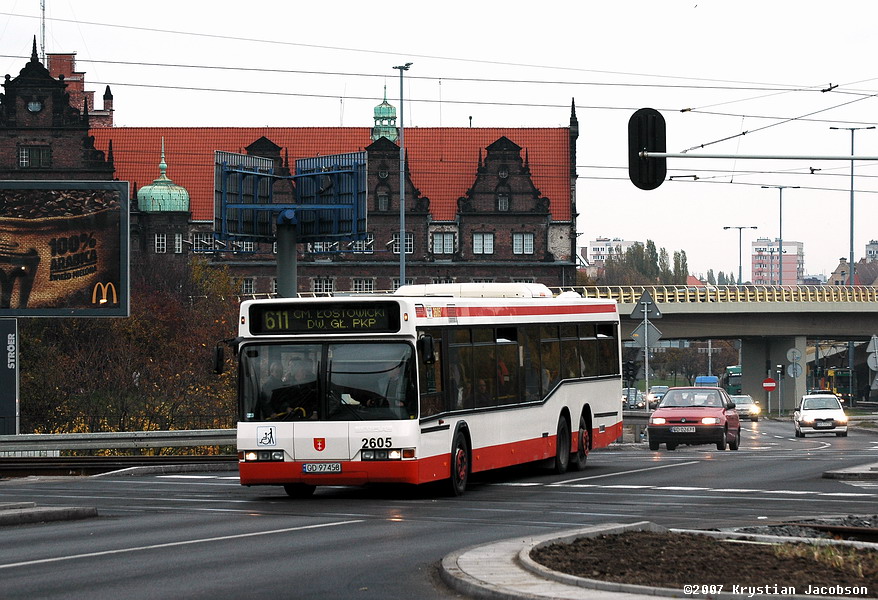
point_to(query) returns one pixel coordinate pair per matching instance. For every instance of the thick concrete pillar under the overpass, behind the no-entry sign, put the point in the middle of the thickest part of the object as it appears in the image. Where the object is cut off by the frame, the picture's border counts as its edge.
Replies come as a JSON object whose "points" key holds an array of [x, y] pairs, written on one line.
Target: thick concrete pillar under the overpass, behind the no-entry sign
{"points": [[760, 358]]}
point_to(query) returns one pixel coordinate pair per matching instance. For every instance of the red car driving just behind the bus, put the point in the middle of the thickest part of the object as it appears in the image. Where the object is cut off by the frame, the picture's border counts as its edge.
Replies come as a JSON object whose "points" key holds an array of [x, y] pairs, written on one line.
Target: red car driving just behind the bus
{"points": [[695, 415]]}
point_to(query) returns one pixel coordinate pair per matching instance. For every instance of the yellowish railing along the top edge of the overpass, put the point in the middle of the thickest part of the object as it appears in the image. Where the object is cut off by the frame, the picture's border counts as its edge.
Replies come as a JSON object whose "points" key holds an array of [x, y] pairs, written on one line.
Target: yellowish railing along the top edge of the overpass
{"points": [[729, 293]]}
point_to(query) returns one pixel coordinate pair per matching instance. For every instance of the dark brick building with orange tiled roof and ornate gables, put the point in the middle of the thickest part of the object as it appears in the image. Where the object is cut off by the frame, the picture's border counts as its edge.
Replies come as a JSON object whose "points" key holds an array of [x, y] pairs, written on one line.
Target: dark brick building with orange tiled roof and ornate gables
{"points": [[482, 204]]}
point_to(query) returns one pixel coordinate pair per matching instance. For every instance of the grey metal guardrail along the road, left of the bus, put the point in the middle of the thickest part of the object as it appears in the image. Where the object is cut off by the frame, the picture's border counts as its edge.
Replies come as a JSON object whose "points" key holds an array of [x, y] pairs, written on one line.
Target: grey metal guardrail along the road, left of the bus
{"points": [[103, 440]]}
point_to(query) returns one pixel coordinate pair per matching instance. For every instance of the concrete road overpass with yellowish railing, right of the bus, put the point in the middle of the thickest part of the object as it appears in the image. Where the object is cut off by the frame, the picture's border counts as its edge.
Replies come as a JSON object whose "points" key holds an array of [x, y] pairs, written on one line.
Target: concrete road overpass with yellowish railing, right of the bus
{"points": [[769, 321]]}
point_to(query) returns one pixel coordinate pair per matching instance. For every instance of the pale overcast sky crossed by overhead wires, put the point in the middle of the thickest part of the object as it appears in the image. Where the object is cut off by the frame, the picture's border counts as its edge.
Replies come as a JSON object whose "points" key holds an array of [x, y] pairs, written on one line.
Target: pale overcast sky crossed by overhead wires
{"points": [[763, 68]]}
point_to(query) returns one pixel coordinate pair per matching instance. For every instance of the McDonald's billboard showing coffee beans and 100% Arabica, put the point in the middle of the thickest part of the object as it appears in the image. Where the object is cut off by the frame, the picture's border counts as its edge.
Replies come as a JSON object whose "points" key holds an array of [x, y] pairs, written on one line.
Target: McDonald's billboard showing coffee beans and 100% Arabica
{"points": [[64, 248]]}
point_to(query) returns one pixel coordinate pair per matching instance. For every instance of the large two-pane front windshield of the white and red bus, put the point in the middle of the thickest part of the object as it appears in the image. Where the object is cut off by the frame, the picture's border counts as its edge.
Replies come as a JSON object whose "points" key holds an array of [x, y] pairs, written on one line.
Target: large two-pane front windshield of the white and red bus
{"points": [[327, 382]]}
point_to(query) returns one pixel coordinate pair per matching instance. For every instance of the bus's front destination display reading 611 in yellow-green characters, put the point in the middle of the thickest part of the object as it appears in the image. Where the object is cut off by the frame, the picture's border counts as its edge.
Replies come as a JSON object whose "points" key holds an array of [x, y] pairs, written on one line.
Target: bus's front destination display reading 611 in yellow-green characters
{"points": [[330, 317]]}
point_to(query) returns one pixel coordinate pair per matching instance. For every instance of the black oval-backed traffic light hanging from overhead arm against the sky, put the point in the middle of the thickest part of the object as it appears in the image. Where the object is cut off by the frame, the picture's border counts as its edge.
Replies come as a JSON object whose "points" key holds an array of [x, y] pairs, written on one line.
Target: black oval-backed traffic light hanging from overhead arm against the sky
{"points": [[646, 132]]}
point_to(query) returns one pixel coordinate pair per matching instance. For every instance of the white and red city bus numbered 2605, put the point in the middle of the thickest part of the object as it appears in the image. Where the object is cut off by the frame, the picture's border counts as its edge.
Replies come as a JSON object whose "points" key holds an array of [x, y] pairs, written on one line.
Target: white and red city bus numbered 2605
{"points": [[431, 383]]}
